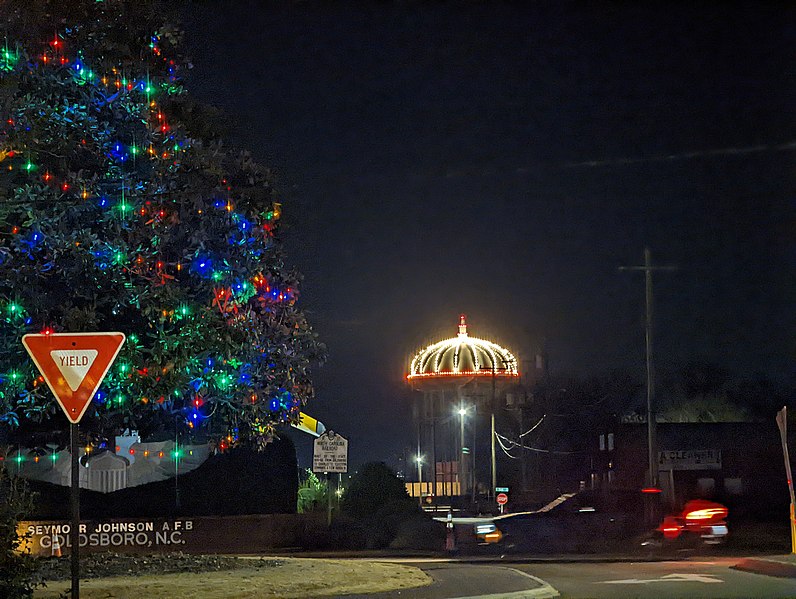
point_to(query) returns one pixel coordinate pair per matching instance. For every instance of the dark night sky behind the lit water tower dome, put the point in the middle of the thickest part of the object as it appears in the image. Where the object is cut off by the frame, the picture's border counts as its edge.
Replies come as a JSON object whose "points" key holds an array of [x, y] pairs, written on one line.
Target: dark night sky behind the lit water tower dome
{"points": [[503, 161]]}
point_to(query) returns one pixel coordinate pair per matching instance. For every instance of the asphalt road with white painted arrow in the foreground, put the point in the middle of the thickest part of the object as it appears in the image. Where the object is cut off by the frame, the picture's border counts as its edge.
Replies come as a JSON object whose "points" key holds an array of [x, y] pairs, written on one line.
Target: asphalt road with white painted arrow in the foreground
{"points": [[516, 579]]}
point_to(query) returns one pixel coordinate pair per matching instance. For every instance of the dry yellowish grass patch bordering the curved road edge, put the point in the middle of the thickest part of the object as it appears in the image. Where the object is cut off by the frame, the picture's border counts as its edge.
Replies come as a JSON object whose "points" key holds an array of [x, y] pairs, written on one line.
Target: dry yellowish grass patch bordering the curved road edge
{"points": [[291, 578]]}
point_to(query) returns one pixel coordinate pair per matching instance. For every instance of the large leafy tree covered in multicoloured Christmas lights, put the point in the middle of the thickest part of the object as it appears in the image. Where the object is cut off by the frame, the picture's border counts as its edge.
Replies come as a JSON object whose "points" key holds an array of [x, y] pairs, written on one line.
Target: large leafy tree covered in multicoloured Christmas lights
{"points": [[121, 210]]}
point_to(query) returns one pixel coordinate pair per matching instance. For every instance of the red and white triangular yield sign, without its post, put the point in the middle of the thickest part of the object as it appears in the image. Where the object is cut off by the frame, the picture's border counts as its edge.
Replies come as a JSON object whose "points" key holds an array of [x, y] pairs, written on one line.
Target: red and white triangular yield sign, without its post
{"points": [[73, 365]]}
